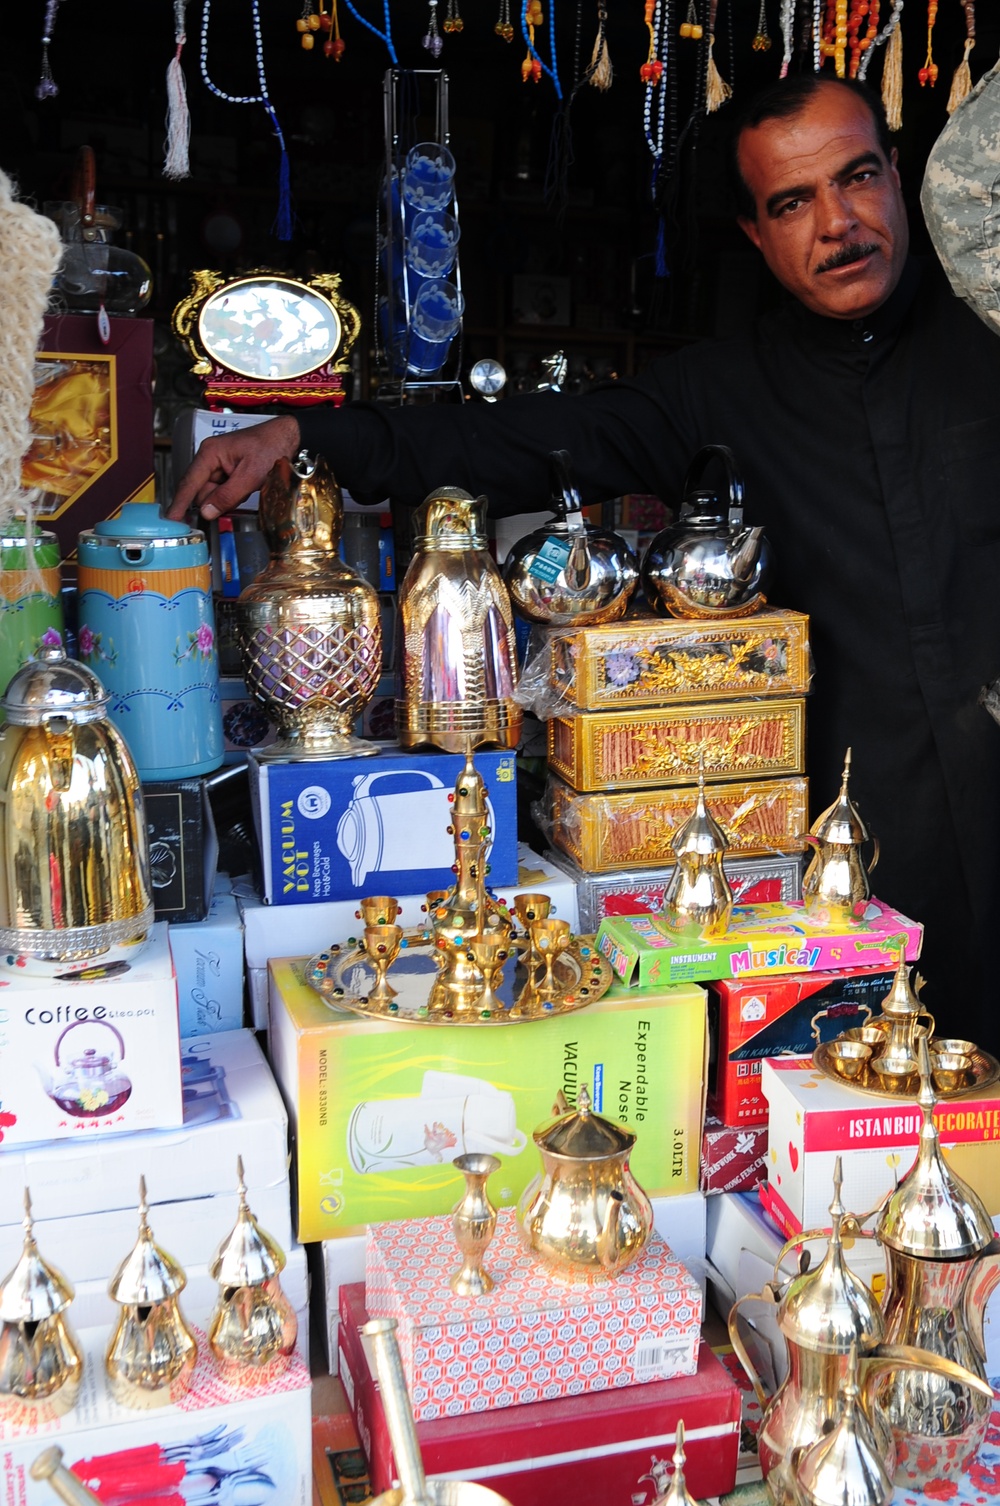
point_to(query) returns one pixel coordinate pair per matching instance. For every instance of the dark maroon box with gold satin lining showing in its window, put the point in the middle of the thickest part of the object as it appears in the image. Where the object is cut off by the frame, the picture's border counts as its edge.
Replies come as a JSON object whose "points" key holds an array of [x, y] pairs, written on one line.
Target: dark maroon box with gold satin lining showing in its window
{"points": [[91, 424]]}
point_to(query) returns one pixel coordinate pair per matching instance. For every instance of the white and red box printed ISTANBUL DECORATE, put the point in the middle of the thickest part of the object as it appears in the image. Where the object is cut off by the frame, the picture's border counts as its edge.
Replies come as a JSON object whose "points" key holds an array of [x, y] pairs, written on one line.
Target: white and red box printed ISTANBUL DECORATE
{"points": [[814, 1120]]}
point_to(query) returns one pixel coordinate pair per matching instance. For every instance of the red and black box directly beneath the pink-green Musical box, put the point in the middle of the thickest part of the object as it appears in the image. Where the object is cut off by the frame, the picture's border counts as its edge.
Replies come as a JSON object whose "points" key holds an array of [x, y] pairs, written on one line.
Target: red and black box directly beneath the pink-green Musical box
{"points": [[754, 1019]]}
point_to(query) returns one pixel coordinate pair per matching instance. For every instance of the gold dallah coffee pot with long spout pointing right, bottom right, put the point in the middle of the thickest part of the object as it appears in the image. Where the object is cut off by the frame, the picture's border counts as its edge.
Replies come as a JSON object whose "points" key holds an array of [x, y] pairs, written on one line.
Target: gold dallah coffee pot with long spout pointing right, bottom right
{"points": [[823, 1315]]}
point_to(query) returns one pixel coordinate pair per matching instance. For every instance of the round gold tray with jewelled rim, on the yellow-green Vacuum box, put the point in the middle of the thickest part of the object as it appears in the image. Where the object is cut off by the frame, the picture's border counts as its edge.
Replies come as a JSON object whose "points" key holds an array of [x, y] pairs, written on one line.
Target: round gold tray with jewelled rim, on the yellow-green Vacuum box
{"points": [[341, 975]]}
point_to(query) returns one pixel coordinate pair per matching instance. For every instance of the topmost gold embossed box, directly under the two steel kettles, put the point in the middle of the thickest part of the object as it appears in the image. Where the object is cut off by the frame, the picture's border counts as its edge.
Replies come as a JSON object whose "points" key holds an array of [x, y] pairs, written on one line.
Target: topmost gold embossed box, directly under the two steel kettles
{"points": [[653, 662]]}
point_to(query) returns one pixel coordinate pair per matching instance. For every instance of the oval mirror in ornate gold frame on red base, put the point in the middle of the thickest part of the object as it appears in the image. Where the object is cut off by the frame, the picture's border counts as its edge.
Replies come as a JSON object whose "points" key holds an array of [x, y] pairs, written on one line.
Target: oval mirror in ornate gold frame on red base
{"points": [[267, 338]]}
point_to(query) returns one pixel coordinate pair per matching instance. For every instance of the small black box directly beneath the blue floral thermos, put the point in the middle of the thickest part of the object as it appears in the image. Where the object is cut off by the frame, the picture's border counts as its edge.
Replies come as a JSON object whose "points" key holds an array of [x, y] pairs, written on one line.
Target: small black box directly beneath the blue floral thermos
{"points": [[183, 849]]}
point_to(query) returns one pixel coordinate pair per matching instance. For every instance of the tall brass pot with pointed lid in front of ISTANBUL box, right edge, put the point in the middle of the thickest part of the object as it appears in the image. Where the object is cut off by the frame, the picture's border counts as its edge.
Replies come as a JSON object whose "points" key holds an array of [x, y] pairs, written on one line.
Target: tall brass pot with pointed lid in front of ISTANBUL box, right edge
{"points": [[944, 1264]]}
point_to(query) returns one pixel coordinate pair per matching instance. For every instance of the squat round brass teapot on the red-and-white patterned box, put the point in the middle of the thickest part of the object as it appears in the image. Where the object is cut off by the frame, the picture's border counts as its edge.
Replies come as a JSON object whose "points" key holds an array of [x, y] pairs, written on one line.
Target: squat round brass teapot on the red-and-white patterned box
{"points": [[585, 1215]]}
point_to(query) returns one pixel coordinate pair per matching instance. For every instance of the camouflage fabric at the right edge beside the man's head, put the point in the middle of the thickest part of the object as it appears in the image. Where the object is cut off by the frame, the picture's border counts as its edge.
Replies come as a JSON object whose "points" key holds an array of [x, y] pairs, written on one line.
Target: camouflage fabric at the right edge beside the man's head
{"points": [[962, 200]]}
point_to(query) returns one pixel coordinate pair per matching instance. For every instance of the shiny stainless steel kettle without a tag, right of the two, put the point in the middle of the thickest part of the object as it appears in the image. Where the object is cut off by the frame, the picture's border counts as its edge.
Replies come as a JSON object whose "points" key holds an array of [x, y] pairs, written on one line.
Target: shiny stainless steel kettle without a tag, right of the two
{"points": [[709, 564]]}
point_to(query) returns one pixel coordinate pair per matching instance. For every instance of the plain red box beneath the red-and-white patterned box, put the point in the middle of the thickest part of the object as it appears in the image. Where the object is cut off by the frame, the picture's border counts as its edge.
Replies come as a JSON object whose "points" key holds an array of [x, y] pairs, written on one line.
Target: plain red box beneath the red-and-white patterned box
{"points": [[611, 1447]]}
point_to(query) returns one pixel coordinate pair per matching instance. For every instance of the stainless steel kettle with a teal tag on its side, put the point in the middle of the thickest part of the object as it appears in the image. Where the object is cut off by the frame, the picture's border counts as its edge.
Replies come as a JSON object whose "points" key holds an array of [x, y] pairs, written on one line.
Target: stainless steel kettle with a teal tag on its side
{"points": [[570, 572]]}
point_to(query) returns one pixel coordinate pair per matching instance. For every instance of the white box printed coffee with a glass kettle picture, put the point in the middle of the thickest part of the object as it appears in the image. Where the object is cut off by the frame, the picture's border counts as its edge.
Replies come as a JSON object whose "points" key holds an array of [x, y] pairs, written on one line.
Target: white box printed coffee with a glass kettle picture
{"points": [[123, 1031]]}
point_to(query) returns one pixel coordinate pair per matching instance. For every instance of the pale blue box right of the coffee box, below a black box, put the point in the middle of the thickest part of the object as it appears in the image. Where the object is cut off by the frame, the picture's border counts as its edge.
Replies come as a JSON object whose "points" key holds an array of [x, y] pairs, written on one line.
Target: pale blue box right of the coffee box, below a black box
{"points": [[209, 962]]}
